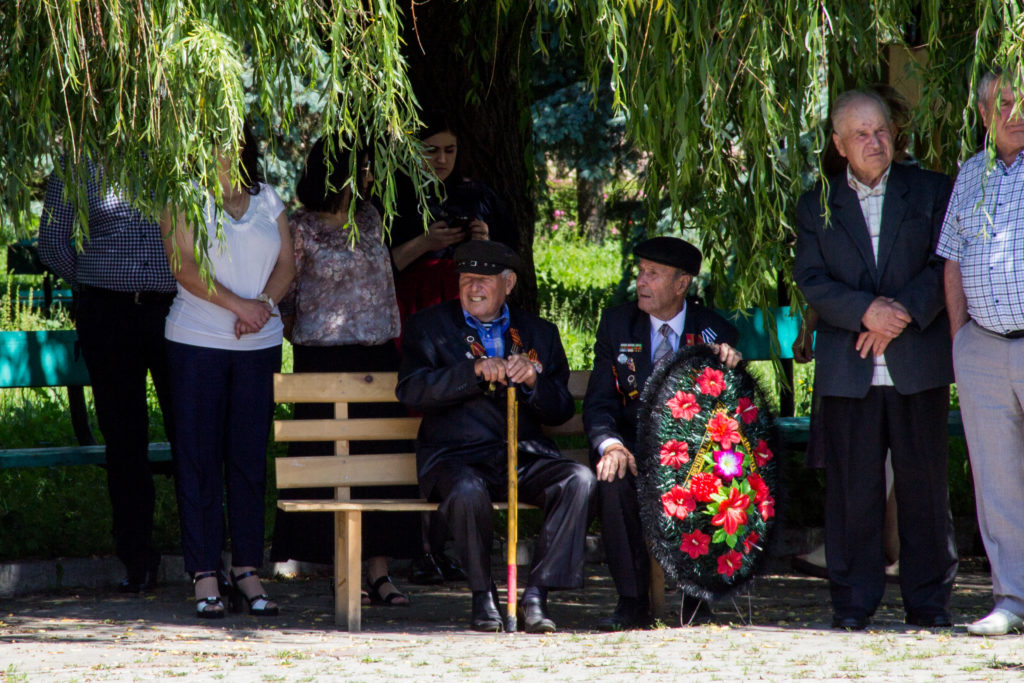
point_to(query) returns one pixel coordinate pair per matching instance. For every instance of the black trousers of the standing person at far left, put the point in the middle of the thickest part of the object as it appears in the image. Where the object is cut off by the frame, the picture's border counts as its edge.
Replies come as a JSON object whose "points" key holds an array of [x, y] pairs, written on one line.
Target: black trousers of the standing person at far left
{"points": [[121, 341]]}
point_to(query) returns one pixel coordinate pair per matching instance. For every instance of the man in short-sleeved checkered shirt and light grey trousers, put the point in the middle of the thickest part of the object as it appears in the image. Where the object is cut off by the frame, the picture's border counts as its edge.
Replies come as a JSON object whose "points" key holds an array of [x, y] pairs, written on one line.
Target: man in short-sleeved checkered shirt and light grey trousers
{"points": [[984, 242]]}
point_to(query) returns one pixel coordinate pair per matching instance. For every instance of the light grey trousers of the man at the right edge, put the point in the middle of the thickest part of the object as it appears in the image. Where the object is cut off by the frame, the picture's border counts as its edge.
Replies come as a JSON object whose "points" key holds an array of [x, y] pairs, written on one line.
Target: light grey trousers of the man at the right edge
{"points": [[991, 379]]}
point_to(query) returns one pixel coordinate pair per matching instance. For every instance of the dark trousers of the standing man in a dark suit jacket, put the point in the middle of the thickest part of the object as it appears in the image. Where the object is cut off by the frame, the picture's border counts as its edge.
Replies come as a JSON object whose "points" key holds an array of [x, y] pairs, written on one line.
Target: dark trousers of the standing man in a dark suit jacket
{"points": [[859, 433]]}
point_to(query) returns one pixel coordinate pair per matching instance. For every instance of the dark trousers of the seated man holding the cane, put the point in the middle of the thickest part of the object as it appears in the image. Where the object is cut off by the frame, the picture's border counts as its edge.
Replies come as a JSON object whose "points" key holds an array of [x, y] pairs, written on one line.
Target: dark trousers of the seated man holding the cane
{"points": [[564, 489]]}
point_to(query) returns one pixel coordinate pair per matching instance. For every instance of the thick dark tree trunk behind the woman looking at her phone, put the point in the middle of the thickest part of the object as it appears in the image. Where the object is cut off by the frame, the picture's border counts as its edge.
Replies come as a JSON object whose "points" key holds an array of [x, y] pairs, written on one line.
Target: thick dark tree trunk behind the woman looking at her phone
{"points": [[478, 70]]}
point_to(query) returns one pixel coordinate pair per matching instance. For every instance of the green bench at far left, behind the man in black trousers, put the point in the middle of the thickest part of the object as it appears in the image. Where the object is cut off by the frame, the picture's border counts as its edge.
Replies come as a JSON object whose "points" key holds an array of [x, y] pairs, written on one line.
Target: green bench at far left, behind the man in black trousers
{"points": [[50, 359]]}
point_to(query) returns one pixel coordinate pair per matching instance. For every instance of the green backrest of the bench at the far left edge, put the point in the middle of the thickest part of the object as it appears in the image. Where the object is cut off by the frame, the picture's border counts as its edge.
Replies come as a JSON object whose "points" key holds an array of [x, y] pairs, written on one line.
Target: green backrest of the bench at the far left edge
{"points": [[45, 359]]}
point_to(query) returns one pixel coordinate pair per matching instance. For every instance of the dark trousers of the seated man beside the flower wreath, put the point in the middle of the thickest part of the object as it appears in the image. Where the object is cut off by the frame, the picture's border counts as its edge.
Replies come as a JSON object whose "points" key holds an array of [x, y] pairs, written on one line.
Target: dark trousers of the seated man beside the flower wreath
{"points": [[623, 536]]}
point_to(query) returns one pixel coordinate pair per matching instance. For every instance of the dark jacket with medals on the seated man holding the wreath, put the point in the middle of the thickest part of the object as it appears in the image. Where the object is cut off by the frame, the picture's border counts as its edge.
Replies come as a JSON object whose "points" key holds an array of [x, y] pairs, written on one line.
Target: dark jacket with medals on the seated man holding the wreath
{"points": [[622, 366]]}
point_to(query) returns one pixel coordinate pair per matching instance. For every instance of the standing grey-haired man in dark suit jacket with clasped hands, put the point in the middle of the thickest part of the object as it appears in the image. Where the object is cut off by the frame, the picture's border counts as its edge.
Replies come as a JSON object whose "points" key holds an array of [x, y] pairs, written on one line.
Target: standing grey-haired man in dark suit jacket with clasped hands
{"points": [[867, 264]]}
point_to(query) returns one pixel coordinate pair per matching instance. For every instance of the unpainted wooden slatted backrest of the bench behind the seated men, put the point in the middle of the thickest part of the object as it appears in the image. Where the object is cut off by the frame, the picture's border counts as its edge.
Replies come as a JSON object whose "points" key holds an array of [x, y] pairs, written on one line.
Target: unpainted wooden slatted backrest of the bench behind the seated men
{"points": [[343, 471]]}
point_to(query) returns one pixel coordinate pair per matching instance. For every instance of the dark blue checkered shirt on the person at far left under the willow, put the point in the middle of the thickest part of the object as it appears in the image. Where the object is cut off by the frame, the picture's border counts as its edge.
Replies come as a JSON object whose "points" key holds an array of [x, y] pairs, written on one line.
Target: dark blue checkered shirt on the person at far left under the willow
{"points": [[124, 251]]}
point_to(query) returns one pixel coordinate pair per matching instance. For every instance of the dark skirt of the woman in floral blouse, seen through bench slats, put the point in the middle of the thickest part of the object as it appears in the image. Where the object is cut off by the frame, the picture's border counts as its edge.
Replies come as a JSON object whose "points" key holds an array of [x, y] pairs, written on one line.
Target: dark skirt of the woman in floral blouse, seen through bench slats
{"points": [[309, 537]]}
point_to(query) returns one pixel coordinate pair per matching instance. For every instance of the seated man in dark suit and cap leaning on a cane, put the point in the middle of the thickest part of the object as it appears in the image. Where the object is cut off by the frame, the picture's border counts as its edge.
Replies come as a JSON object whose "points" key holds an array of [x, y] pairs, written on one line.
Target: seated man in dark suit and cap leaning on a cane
{"points": [[458, 358]]}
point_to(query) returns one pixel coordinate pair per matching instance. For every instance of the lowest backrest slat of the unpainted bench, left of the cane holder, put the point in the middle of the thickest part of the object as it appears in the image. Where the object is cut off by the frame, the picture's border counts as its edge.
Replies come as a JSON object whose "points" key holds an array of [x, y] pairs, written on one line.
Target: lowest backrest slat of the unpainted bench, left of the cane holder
{"points": [[333, 472]]}
